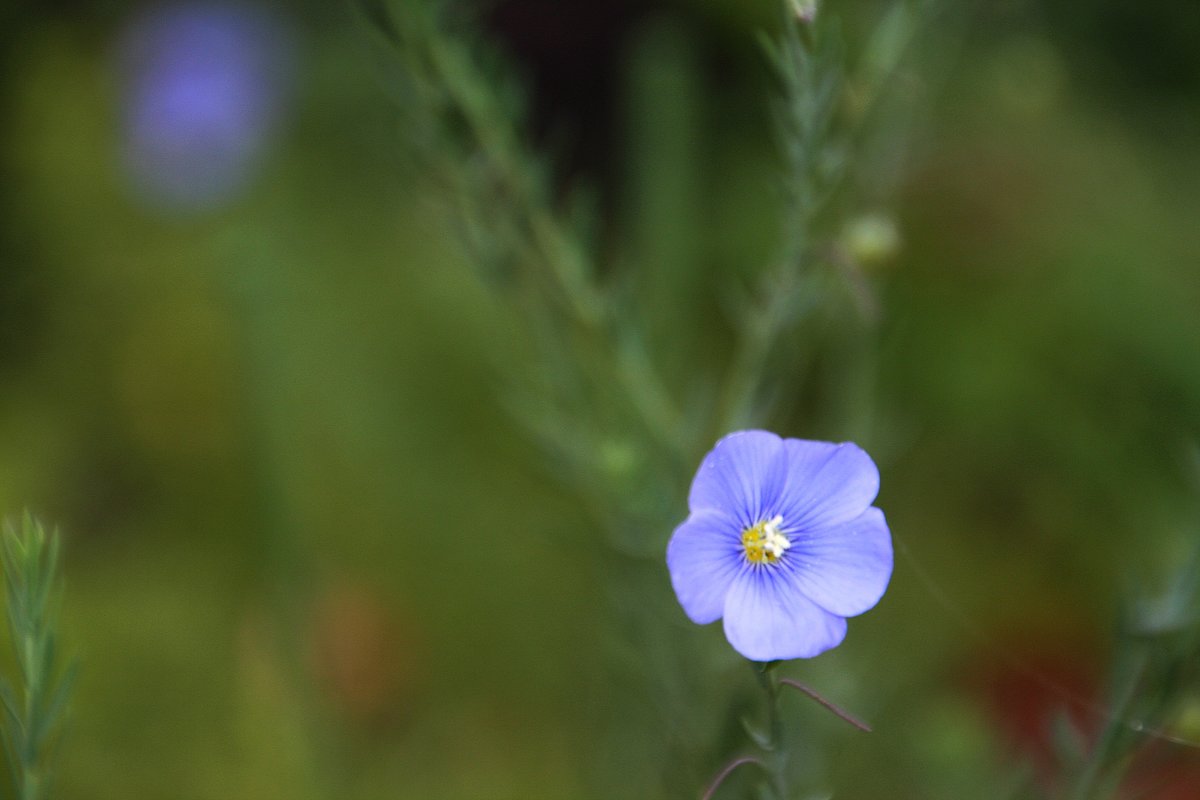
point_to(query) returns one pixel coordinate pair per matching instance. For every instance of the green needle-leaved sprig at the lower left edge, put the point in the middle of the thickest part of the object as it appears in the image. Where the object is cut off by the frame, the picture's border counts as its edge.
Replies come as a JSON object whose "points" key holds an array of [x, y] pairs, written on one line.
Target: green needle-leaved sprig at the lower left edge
{"points": [[37, 703]]}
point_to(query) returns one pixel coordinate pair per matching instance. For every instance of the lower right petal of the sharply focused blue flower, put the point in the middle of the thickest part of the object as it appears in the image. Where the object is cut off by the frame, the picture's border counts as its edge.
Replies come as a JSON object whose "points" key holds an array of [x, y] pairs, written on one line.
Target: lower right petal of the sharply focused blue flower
{"points": [[844, 569]]}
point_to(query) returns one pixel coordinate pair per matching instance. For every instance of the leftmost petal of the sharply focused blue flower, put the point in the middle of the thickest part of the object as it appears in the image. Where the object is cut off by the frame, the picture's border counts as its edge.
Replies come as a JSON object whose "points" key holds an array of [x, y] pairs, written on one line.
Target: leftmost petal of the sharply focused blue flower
{"points": [[704, 558]]}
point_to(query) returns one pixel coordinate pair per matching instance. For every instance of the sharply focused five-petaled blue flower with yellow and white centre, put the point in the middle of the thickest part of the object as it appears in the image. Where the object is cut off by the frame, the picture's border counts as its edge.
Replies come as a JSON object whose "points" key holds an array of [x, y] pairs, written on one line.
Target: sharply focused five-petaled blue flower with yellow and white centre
{"points": [[783, 543]]}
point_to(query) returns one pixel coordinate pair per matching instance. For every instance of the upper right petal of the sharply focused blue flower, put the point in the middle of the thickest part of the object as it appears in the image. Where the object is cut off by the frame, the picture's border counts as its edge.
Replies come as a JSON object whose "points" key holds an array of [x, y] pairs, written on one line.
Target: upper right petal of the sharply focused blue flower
{"points": [[826, 484]]}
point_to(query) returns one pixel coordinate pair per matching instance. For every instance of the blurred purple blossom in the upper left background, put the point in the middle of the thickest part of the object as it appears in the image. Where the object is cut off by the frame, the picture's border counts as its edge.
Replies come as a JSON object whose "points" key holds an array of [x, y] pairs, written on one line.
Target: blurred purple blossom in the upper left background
{"points": [[203, 89]]}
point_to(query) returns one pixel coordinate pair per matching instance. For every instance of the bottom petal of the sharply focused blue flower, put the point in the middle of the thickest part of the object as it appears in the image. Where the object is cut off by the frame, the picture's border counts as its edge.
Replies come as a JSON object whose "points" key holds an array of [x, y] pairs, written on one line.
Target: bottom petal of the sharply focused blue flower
{"points": [[769, 619]]}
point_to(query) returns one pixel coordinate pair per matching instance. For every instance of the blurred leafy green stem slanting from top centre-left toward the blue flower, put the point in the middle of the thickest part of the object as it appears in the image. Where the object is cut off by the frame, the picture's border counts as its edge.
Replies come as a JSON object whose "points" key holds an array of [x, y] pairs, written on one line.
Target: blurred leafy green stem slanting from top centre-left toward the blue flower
{"points": [[597, 384]]}
